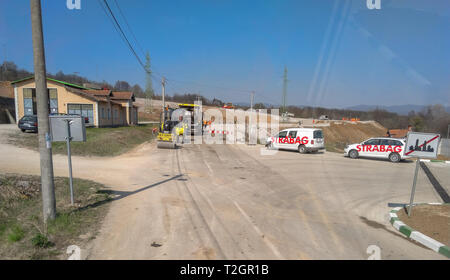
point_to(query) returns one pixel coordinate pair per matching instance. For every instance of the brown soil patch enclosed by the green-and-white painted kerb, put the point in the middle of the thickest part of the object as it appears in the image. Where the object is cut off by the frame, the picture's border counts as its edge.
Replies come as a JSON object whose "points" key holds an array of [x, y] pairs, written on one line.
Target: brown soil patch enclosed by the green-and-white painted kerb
{"points": [[431, 220]]}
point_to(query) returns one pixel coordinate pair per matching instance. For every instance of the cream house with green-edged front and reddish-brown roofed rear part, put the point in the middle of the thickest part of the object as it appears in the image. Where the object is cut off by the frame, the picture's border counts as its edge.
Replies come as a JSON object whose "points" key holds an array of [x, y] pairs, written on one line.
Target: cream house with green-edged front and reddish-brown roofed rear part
{"points": [[101, 107]]}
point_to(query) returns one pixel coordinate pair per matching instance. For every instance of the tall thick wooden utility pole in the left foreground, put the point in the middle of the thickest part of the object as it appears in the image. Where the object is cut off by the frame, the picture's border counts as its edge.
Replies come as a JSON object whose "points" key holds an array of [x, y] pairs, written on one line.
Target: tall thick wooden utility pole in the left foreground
{"points": [[45, 148]]}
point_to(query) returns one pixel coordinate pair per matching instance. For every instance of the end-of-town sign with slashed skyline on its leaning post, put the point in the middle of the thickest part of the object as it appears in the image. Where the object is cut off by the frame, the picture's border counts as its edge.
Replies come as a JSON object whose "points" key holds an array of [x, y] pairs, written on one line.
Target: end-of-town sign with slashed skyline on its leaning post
{"points": [[420, 145]]}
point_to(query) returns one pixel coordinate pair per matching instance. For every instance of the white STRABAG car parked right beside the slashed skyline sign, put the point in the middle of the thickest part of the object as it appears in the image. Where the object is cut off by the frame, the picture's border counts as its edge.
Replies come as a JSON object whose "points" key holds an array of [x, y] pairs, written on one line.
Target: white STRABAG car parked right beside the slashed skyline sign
{"points": [[388, 148]]}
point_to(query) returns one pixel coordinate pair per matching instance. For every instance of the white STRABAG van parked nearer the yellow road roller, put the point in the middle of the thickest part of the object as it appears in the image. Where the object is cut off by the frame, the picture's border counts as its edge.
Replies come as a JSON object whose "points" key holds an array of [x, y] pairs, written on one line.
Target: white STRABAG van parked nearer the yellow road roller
{"points": [[300, 139]]}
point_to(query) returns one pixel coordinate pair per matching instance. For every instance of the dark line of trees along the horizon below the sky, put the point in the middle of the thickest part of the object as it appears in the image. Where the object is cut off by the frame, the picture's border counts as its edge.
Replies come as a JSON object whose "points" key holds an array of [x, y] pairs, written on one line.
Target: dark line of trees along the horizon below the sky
{"points": [[434, 118]]}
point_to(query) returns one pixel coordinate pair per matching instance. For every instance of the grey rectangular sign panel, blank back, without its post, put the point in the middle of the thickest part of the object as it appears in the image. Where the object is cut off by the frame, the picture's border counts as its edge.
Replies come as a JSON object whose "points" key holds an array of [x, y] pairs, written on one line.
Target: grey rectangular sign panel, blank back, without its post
{"points": [[59, 131]]}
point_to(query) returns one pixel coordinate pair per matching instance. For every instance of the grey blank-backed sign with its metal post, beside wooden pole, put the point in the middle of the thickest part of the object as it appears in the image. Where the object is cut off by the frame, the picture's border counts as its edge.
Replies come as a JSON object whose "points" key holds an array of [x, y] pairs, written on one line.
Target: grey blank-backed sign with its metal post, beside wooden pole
{"points": [[68, 128]]}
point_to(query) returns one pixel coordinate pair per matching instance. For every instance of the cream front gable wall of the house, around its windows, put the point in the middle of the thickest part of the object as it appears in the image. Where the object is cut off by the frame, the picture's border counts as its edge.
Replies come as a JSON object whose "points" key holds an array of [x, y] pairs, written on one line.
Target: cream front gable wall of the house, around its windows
{"points": [[64, 97]]}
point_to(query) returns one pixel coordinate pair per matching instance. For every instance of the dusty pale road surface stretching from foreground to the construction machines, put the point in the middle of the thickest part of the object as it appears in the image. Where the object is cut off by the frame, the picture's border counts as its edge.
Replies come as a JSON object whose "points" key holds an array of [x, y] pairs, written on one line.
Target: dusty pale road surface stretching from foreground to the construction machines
{"points": [[230, 202]]}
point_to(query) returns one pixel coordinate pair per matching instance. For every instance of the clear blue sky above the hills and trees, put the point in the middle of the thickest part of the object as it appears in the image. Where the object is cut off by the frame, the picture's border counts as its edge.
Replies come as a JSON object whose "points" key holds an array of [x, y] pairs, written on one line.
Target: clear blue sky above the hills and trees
{"points": [[338, 52]]}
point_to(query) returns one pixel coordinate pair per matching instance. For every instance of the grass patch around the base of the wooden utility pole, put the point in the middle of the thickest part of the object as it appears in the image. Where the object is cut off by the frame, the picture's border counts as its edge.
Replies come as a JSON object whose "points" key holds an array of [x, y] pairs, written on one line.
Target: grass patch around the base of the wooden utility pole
{"points": [[23, 234]]}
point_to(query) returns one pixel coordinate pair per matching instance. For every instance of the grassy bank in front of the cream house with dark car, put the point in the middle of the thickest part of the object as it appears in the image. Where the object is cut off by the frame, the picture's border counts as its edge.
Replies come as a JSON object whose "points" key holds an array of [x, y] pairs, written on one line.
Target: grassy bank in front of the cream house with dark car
{"points": [[105, 141]]}
